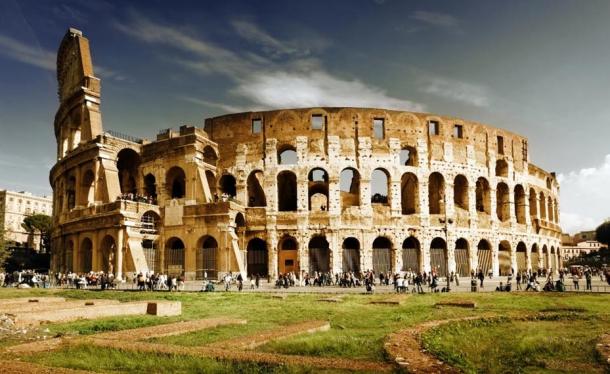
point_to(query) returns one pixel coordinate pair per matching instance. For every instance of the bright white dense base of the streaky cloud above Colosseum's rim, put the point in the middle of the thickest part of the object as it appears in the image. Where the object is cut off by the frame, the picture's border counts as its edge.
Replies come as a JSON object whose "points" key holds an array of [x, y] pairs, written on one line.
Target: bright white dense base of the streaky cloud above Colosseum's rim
{"points": [[315, 88]]}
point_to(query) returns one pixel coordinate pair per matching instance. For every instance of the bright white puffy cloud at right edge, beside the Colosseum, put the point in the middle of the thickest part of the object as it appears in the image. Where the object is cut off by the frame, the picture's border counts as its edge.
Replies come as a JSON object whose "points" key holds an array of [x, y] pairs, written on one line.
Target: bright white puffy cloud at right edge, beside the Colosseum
{"points": [[585, 200]]}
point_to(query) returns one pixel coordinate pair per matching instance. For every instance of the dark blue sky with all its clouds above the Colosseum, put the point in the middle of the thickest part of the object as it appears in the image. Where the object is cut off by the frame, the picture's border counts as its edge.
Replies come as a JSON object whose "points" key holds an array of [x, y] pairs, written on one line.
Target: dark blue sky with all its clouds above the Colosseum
{"points": [[538, 68]]}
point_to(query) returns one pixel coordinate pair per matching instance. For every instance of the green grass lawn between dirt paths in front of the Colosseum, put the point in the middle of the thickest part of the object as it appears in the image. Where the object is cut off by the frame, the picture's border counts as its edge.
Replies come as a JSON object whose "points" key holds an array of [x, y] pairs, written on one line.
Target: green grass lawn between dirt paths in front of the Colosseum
{"points": [[563, 343]]}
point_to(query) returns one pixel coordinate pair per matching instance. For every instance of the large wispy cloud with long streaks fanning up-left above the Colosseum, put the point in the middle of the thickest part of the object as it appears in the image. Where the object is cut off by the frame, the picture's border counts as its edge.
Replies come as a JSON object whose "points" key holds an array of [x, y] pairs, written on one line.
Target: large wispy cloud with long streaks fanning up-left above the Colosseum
{"points": [[294, 81]]}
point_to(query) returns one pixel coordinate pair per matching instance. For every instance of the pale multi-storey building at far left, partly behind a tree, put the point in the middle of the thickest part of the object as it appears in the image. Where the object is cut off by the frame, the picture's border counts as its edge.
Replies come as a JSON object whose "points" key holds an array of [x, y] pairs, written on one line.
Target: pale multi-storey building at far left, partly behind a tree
{"points": [[14, 207]]}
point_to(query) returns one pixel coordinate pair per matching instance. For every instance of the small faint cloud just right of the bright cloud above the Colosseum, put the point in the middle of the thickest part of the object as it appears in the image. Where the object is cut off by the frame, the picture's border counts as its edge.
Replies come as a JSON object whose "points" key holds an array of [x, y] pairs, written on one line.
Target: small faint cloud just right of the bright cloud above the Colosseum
{"points": [[456, 90]]}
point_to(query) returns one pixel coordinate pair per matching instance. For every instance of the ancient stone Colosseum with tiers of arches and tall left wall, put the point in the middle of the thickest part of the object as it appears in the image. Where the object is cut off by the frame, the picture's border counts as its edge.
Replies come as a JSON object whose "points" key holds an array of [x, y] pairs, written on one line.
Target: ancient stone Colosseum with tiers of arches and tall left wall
{"points": [[293, 190]]}
